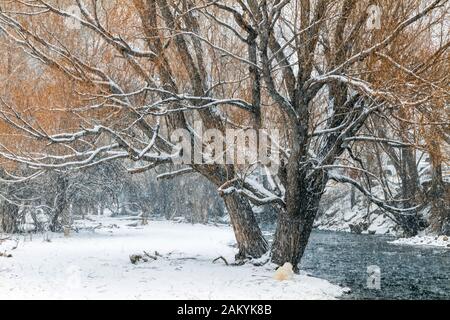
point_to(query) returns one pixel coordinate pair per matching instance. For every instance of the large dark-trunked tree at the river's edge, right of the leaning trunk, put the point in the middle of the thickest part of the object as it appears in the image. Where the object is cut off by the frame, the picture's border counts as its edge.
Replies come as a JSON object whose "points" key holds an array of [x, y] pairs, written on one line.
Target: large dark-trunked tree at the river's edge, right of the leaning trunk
{"points": [[322, 49]]}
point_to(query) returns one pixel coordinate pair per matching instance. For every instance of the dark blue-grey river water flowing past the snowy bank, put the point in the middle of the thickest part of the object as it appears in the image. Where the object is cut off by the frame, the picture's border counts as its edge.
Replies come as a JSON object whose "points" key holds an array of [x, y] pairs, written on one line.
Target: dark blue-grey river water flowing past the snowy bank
{"points": [[407, 272]]}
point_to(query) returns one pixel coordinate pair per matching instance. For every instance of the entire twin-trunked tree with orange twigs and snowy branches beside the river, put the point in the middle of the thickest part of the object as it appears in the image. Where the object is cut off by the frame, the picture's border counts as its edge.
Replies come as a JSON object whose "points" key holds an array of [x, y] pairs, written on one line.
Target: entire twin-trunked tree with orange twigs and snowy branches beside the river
{"points": [[147, 69]]}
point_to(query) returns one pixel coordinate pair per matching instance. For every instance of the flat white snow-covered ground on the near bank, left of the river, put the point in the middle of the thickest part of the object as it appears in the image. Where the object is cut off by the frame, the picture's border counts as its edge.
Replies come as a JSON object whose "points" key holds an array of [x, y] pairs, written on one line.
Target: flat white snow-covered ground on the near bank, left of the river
{"points": [[95, 264]]}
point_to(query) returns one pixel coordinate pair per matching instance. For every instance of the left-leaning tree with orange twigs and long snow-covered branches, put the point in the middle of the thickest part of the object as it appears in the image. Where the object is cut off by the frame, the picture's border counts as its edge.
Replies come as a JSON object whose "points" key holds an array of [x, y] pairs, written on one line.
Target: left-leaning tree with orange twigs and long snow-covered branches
{"points": [[123, 93]]}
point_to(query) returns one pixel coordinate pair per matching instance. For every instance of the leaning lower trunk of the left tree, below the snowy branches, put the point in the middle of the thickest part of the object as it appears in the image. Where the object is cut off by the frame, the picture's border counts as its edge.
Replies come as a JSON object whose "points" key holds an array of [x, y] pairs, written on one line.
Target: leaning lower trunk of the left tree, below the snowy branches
{"points": [[250, 240]]}
